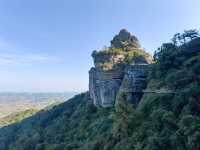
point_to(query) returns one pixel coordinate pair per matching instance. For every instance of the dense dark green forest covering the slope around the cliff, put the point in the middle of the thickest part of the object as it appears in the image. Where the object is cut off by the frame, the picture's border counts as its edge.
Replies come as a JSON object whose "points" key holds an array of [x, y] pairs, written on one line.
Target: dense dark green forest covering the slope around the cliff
{"points": [[161, 121]]}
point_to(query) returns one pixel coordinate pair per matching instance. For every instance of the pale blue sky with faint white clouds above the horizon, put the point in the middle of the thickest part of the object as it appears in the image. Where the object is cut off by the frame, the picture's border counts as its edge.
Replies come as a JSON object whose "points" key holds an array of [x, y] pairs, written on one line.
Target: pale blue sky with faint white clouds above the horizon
{"points": [[46, 45]]}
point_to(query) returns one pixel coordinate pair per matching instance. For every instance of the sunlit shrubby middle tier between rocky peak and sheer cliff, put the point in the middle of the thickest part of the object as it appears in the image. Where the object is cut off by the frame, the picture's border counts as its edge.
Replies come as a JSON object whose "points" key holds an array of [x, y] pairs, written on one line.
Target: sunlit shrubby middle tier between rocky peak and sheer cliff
{"points": [[118, 56]]}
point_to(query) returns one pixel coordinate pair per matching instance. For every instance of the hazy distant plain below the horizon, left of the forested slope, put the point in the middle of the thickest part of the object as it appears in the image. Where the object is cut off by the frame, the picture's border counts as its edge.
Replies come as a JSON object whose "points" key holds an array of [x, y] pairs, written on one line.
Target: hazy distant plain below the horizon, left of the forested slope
{"points": [[12, 103]]}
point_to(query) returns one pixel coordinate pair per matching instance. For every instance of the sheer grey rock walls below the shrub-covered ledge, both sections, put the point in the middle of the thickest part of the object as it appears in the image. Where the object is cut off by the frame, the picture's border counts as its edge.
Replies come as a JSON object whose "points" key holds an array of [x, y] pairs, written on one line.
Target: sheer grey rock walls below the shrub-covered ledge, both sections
{"points": [[104, 85]]}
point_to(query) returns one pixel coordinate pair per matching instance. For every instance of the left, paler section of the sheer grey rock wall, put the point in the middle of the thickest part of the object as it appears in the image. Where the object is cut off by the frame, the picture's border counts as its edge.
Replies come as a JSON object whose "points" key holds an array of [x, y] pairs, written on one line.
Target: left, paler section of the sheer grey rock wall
{"points": [[104, 85]]}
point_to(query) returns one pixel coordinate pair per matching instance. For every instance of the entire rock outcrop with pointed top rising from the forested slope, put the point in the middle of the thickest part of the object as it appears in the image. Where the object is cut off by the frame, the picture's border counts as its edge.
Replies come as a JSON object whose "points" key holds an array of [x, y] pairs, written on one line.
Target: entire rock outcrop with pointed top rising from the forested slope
{"points": [[121, 67]]}
